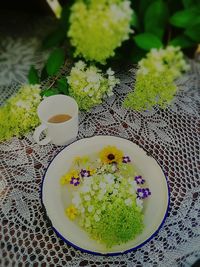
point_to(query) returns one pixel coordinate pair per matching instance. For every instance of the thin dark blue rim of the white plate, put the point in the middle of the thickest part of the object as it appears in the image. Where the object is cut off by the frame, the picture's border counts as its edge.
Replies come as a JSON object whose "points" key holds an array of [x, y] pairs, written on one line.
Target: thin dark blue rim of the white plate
{"points": [[98, 253]]}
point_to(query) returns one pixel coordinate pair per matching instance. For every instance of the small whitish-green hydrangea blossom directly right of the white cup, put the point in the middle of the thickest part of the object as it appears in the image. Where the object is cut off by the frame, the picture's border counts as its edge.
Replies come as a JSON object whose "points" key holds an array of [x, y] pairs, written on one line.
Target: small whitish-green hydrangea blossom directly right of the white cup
{"points": [[89, 86]]}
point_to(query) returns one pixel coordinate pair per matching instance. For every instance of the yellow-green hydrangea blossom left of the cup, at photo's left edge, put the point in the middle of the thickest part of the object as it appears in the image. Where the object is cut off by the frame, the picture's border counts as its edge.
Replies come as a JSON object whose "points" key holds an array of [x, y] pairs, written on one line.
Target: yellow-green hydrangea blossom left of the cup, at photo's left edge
{"points": [[19, 114]]}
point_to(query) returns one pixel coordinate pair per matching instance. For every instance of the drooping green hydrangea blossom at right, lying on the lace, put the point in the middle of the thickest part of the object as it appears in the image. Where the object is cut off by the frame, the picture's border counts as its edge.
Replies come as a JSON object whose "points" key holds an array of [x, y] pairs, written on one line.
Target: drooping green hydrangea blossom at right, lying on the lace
{"points": [[155, 79]]}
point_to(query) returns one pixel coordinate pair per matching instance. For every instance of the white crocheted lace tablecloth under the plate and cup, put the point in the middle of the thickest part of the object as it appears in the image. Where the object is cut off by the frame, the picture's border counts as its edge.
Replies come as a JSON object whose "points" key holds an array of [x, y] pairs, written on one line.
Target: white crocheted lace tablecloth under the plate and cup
{"points": [[172, 137]]}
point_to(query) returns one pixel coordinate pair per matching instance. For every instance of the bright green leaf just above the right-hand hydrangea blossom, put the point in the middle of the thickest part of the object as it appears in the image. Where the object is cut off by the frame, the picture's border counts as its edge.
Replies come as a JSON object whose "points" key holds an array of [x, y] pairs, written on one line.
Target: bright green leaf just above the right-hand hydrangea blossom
{"points": [[147, 41]]}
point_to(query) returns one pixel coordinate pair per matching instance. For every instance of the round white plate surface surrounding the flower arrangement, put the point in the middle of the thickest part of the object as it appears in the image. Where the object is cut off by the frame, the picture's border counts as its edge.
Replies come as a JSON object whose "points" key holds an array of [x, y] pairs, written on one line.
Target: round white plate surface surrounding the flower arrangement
{"points": [[55, 198]]}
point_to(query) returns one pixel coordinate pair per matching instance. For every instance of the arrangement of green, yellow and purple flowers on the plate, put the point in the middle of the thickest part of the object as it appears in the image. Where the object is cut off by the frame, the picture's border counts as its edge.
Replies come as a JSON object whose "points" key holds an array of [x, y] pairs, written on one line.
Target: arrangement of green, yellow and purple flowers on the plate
{"points": [[107, 196]]}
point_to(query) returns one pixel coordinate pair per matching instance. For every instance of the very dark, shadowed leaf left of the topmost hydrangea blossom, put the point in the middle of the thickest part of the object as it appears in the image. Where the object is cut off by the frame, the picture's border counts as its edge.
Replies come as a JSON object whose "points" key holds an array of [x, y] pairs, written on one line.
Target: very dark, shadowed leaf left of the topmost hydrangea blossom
{"points": [[54, 38]]}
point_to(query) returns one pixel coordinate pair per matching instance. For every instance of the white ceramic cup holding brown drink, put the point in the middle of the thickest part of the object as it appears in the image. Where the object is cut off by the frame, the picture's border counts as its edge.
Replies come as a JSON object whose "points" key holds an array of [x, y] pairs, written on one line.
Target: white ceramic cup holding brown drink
{"points": [[57, 133]]}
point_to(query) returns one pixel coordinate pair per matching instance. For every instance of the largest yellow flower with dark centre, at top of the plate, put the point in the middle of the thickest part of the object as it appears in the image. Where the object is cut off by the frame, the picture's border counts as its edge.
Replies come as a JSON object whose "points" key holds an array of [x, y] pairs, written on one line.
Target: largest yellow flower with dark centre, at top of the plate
{"points": [[111, 154]]}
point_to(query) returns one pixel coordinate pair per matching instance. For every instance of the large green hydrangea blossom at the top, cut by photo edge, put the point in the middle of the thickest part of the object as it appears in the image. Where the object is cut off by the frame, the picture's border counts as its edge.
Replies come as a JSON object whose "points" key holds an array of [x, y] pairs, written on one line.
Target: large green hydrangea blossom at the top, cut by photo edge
{"points": [[98, 27]]}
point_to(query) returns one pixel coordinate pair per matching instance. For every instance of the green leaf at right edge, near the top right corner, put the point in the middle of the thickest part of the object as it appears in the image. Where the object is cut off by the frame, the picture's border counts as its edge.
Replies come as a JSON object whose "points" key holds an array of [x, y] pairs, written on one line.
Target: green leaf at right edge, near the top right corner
{"points": [[185, 18]]}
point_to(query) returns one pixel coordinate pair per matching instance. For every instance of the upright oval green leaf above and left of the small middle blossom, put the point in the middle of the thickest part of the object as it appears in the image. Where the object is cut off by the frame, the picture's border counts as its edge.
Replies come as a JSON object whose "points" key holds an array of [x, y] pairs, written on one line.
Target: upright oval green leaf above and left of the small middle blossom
{"points": [[55, 61]]}
